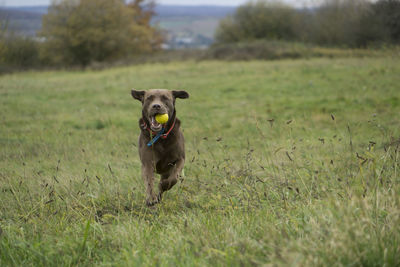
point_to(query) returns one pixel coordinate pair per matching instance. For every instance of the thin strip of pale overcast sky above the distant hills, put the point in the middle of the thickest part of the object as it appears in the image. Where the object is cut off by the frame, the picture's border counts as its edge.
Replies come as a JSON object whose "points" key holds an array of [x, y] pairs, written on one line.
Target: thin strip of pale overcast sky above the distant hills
{"points": [[165, 2]]}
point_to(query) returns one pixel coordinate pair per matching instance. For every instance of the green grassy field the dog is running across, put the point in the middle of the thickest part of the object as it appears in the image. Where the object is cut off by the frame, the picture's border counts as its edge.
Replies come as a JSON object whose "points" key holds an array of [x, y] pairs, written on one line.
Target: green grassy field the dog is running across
{"points": [[291, 162]]}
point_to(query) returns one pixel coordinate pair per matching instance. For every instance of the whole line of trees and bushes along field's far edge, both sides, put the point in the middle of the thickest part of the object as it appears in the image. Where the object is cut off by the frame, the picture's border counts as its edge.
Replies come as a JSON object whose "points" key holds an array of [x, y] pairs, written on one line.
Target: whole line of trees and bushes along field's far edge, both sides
{"points": [[83, 32]]}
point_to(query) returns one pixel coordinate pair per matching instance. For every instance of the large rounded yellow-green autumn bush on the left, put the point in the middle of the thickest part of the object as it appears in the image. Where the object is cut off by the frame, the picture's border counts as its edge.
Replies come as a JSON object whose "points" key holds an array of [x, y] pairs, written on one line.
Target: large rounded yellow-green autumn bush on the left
{"points": [[85, 31]]}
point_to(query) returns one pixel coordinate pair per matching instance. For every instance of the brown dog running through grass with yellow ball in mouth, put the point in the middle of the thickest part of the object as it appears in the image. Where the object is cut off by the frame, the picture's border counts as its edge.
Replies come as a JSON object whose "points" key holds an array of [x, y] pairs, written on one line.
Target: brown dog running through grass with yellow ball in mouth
{"points": [[161, 147]]}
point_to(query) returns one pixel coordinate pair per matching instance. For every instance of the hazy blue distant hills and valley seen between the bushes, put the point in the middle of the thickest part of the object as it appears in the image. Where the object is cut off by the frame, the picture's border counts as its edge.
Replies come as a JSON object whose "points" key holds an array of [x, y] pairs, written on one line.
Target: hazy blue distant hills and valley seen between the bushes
{"points": [[187, 26]]}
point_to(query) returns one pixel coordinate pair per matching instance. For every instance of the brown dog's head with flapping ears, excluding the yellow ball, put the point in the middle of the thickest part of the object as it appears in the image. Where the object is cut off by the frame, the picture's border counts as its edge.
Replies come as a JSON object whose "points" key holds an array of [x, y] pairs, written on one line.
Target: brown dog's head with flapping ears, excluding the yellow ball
{"points": [[158, 101]]}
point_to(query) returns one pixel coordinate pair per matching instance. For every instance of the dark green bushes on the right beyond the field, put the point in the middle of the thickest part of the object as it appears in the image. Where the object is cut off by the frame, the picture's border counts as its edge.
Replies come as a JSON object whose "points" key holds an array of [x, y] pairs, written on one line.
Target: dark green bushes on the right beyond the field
{"points": [[339, 23]]}
